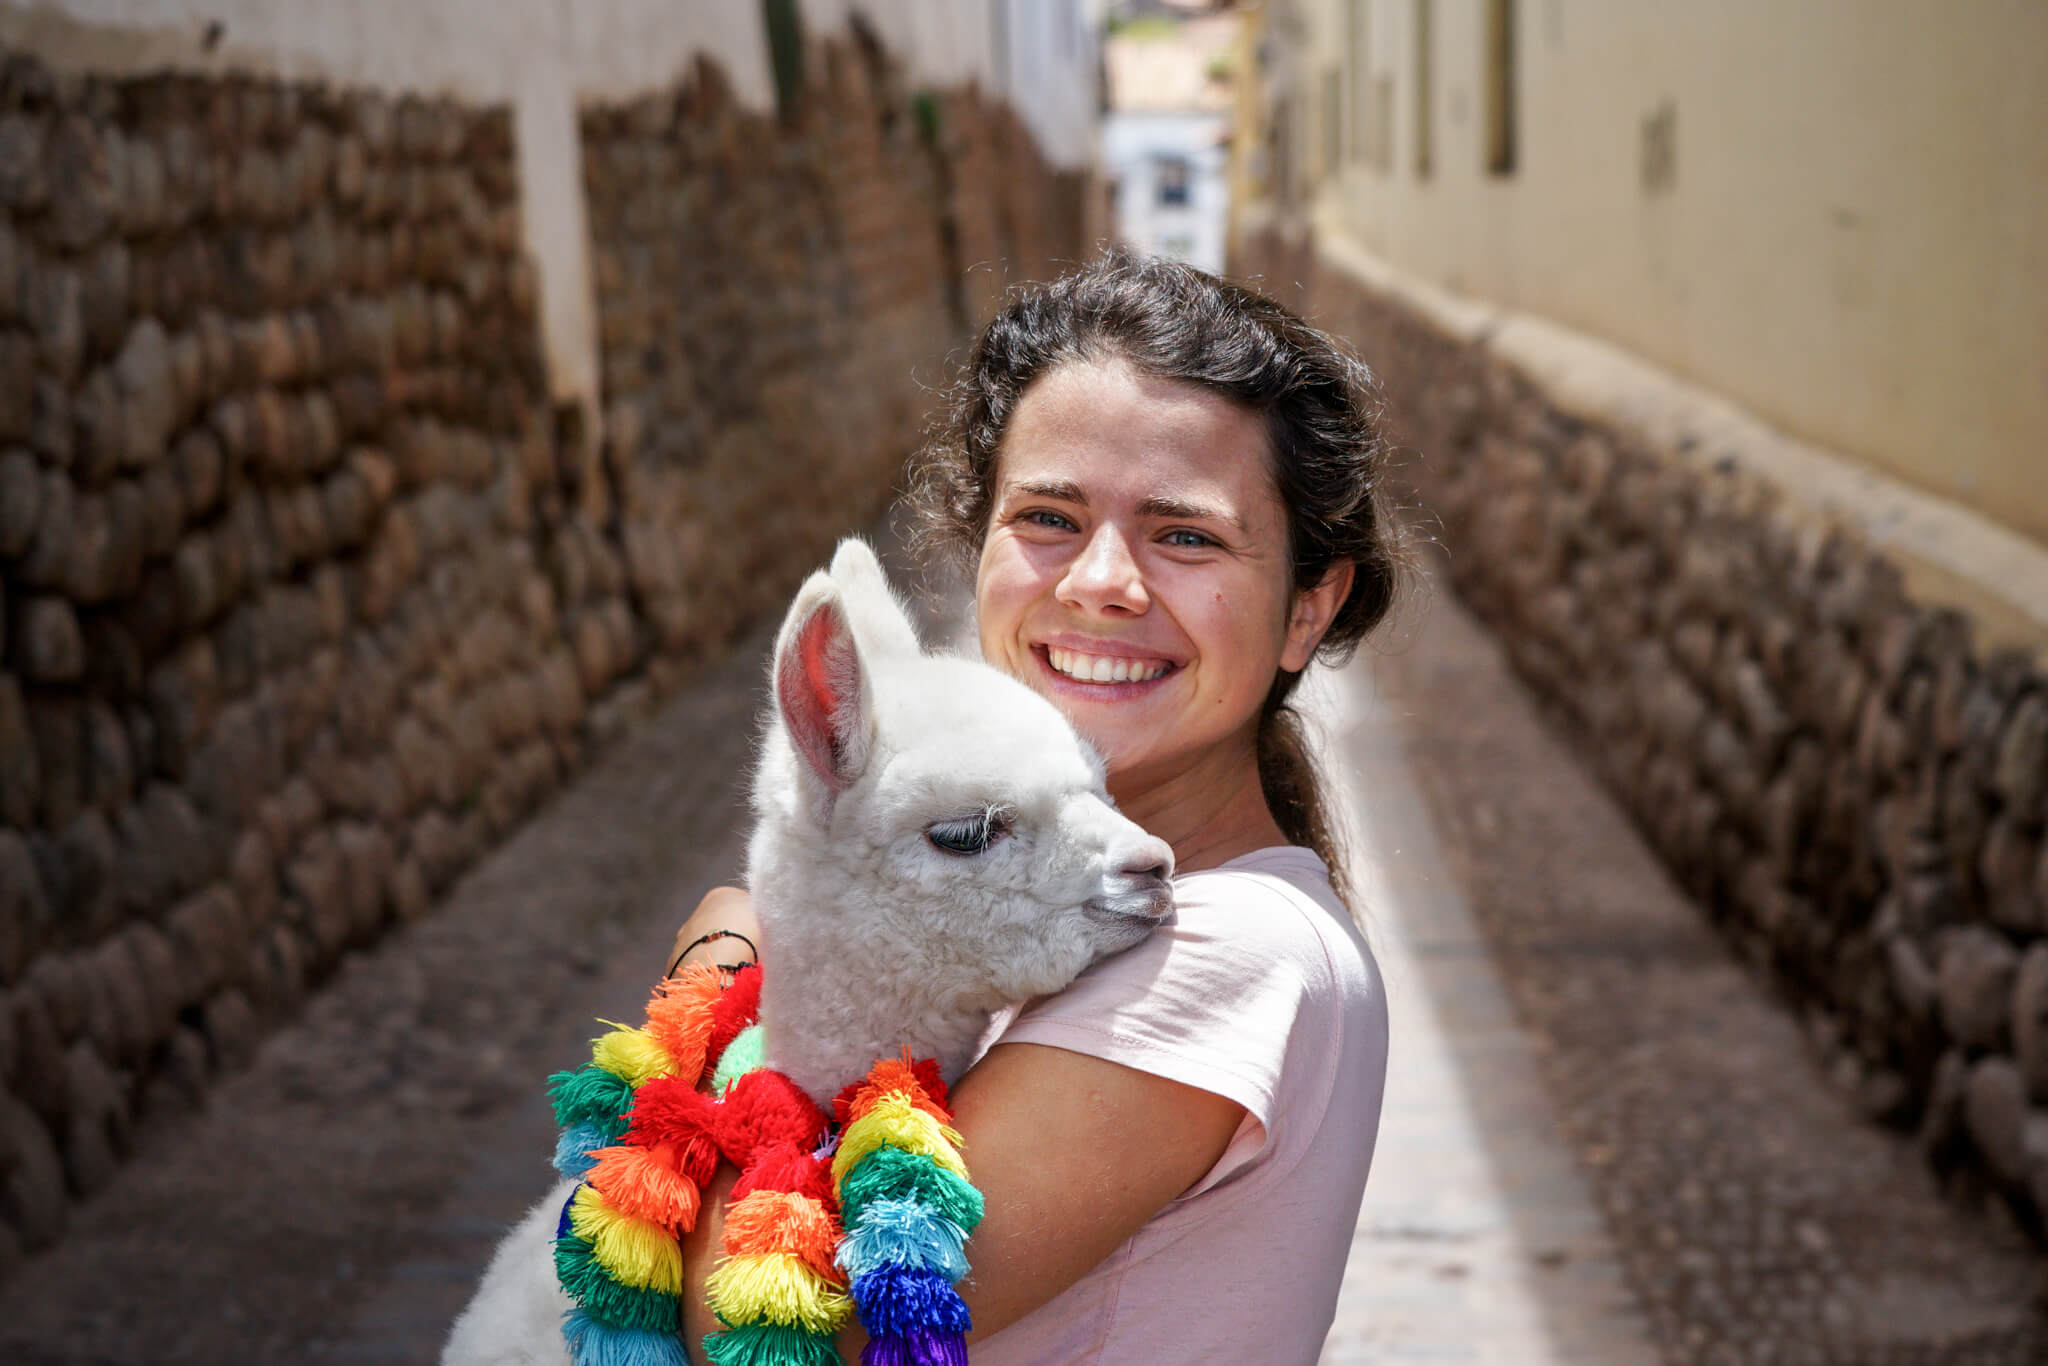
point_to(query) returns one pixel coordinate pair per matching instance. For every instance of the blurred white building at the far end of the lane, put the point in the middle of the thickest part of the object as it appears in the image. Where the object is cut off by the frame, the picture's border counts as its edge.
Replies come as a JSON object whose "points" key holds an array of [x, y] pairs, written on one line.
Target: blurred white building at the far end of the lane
{"points": [[1166, 138]]}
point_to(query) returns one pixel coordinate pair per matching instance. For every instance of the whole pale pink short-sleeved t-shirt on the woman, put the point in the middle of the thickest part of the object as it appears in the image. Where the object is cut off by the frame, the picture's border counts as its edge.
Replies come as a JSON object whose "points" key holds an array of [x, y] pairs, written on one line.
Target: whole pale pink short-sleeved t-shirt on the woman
{"points": [[1263, 992]]}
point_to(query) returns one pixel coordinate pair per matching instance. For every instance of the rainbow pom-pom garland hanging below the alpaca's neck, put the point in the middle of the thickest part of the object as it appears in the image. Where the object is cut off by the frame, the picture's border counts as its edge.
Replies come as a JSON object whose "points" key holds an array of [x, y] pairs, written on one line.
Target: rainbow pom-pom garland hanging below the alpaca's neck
{"points": [[865, 1209]]}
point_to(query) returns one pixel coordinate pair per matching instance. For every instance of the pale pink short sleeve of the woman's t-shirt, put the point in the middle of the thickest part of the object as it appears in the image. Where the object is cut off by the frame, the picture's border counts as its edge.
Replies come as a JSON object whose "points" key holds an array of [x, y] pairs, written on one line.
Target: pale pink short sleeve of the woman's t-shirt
{"points": [[1209, 1000]]}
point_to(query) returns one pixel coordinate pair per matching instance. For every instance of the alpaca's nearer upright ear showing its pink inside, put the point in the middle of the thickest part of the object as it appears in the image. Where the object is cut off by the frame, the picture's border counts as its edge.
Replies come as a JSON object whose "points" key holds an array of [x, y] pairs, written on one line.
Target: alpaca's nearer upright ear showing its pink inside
{"points": [[820, 689]]}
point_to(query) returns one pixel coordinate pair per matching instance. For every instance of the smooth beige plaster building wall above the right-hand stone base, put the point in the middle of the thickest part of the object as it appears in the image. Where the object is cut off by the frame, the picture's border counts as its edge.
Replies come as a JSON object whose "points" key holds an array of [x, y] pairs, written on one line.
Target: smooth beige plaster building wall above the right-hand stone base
{"points": [[1832, 212]]}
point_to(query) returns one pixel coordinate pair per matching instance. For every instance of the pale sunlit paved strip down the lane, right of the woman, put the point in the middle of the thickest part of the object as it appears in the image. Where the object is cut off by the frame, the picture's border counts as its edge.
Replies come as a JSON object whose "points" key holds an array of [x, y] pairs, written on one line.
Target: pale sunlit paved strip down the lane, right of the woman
{"points": [[1478, 1240]]}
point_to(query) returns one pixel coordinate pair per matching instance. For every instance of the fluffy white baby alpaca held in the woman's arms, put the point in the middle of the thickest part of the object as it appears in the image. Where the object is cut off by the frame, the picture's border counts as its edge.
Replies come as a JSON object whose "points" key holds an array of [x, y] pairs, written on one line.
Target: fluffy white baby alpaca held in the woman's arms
{"points": [[933, 843]]}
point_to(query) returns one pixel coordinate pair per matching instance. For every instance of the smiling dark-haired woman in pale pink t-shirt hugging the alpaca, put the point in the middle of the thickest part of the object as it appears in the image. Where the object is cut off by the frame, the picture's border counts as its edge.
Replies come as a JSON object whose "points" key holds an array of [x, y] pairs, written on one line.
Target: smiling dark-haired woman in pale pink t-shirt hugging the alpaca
{"points": [[1170, 493]]}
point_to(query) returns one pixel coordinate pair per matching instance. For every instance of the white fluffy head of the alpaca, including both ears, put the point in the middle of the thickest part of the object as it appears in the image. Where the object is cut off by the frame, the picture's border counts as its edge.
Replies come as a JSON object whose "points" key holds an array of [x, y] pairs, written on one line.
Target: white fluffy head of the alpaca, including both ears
{"points": [[935, 812]]}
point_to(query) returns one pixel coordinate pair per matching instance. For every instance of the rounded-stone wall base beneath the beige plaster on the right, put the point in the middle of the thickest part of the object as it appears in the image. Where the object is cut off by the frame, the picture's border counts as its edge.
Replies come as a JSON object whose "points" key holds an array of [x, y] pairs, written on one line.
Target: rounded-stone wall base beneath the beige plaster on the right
{"points": [[1836, 771]]}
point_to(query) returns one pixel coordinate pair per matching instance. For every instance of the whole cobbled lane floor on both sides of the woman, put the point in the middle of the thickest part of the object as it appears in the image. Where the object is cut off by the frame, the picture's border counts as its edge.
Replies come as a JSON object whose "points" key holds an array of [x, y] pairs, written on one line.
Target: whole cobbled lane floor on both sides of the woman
{"points": [[1605, 1142]]}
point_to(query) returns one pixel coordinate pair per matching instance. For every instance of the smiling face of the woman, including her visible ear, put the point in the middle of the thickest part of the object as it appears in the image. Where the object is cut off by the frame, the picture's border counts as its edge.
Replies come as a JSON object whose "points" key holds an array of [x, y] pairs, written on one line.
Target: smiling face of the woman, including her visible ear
{"points": [[1138, 568]]}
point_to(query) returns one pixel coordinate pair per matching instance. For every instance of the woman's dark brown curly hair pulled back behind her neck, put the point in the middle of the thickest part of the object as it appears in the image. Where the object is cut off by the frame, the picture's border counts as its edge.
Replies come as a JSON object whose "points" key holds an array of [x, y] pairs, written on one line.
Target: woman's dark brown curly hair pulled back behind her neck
{"points": [[1322, 417]]}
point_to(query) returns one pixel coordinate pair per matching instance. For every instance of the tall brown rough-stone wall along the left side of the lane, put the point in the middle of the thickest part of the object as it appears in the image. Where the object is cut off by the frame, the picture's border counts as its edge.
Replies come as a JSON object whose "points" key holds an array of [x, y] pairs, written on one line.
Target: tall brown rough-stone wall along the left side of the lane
{"points": [[306, 595]]}
